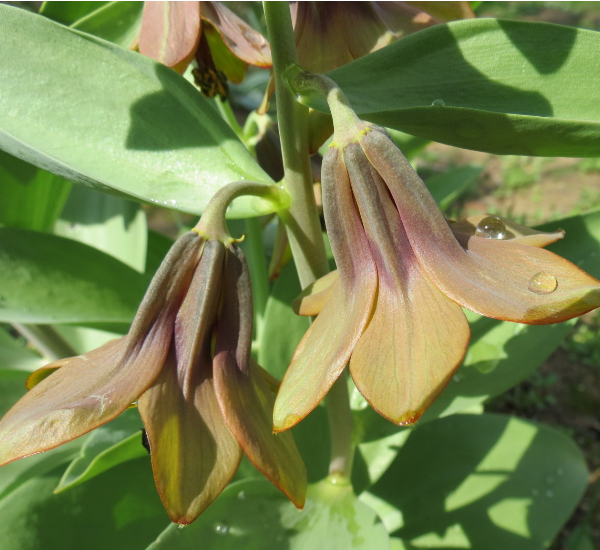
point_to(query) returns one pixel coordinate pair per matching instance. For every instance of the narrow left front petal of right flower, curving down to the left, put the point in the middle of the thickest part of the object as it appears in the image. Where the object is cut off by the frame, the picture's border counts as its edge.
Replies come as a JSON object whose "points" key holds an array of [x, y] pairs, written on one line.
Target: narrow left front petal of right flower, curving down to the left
{"points": [[326, 347]]}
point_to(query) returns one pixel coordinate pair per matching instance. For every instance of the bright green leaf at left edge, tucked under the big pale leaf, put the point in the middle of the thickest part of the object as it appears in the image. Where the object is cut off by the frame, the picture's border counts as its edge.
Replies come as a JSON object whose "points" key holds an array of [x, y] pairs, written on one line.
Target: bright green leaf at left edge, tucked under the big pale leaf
{"points": [[30, 198]]}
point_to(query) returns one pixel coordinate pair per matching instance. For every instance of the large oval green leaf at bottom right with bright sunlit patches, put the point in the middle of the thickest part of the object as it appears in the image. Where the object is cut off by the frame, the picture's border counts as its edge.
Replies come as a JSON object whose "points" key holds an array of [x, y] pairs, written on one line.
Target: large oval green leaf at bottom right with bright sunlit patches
{"points": [[488, 481]]}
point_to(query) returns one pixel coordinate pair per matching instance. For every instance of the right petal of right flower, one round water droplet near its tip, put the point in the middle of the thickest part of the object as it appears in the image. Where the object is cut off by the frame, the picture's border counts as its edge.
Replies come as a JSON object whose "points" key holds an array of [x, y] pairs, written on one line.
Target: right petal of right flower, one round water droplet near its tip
{"points": [[500, 279]]}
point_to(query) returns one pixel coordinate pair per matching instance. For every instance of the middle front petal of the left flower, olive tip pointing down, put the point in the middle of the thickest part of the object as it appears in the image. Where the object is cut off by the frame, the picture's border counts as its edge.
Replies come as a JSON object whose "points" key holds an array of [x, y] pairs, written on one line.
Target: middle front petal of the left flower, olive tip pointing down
{"points": [[194, 455]]}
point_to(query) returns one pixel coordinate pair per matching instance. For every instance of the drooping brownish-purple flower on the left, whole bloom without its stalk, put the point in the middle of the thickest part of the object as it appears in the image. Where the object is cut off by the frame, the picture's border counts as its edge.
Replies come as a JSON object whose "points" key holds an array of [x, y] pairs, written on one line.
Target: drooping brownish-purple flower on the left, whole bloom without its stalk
{"points": [[186, 360]]}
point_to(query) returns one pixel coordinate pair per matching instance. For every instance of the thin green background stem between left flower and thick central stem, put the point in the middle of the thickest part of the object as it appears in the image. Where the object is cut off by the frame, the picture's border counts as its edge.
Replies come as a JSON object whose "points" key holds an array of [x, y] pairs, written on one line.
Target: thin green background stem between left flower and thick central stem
{"points": [[258, 270]]}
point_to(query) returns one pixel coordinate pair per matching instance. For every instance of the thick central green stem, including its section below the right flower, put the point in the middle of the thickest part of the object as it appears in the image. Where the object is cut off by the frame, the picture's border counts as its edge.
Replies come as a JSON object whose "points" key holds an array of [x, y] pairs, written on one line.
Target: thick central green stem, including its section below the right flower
{"points": [[302, 222]]}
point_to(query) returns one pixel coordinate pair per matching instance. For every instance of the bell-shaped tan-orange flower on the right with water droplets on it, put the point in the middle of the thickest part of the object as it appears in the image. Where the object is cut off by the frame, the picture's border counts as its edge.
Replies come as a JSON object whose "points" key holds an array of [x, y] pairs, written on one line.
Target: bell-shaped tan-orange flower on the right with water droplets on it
{"points": [[393, 308]]}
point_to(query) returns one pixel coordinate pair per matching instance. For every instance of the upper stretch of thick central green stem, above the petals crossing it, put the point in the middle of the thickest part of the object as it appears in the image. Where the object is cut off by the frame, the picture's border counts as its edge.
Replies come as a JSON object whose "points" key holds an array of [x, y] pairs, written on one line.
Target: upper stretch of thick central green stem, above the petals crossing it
{"points": [[302, 220]]}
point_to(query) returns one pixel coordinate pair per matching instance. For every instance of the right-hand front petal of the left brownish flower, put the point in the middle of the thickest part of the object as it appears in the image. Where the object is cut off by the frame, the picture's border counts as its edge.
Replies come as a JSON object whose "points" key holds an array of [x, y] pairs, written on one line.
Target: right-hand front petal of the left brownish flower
{"points": [[243, 393]]}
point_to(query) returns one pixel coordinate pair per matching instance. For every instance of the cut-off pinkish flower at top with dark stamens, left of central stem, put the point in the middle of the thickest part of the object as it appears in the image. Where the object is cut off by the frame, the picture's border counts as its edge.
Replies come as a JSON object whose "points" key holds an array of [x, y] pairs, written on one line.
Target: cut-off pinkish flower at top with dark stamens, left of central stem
{"points": [[222, 43]]}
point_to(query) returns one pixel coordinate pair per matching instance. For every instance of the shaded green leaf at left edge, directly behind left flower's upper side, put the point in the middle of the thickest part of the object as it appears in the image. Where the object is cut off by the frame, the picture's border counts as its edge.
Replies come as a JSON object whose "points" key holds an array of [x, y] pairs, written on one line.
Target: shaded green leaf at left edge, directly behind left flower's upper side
{"points": [[50, 279]]}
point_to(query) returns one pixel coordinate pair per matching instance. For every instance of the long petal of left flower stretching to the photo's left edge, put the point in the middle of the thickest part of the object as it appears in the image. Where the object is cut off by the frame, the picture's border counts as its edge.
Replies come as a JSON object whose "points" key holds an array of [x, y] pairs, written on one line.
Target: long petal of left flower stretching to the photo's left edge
{"points": [[93, 388]]}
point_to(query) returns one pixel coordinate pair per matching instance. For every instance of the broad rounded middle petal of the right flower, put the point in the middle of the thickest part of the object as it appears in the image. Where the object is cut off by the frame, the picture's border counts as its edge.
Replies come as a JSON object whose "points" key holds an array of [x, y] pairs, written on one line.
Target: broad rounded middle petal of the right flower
{"points": [[417, 337]]}
